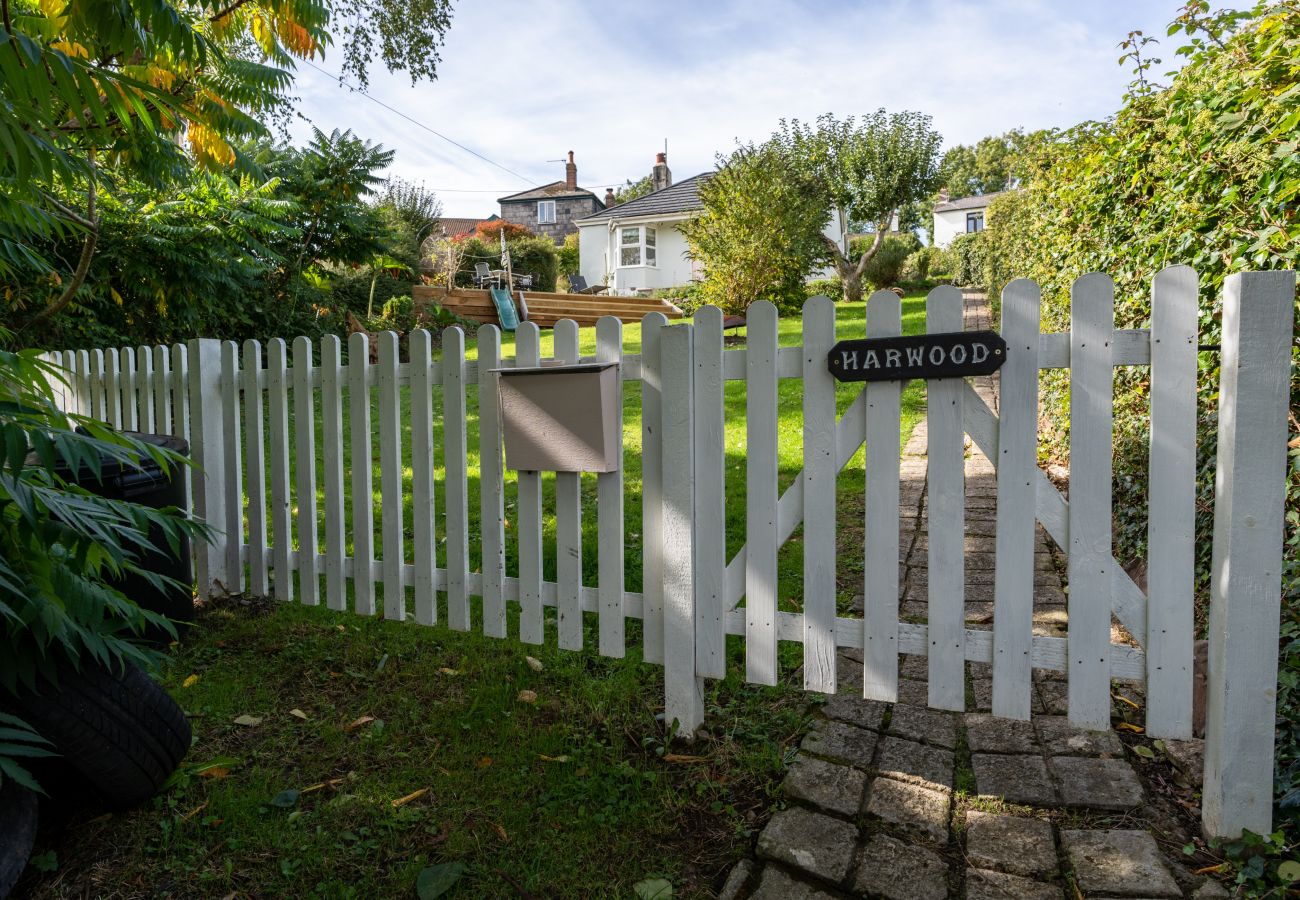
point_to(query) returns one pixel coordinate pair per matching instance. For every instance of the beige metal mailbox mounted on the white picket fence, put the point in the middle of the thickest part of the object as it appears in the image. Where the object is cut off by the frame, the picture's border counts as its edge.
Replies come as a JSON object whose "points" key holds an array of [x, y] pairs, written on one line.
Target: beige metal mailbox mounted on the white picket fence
{"points": [[561, 418]]}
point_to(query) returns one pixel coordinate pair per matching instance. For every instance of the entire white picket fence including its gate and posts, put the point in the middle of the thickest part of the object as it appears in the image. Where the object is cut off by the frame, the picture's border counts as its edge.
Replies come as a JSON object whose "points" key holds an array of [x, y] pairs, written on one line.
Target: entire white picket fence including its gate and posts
{"points": [[219, 396]]}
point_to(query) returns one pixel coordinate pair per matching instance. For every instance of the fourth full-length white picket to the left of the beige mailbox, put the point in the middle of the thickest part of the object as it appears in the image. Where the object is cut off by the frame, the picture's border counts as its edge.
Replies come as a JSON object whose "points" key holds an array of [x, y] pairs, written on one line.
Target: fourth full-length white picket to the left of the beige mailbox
{"points": [[391, 478]]}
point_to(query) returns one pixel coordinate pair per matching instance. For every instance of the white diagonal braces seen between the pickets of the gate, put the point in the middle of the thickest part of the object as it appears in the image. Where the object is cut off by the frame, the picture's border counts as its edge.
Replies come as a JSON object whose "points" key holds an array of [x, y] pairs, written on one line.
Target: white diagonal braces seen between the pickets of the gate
{"points": [[981, 423]]}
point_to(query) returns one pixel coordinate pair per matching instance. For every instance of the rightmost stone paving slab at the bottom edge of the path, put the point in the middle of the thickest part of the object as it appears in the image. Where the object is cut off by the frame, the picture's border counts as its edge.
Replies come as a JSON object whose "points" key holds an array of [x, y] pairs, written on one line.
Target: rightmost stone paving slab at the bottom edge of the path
{"points": [[1124, 863]]}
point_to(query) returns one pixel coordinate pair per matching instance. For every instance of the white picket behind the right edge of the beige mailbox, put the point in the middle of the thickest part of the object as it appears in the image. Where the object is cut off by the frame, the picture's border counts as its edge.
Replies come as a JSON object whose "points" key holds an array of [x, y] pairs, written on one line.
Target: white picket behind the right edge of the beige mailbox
{"points": [[609, 497]]}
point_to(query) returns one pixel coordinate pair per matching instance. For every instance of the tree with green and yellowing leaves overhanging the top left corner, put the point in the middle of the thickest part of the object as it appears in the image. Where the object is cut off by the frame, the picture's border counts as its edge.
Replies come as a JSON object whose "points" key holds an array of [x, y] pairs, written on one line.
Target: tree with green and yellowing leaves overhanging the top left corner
{"points": [[150, 89]]}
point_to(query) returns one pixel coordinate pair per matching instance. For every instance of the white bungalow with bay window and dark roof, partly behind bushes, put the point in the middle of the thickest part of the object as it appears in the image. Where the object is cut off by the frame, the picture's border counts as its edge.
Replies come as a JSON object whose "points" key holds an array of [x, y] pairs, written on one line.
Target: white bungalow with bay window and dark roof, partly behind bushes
{"points": [[638, 245]]}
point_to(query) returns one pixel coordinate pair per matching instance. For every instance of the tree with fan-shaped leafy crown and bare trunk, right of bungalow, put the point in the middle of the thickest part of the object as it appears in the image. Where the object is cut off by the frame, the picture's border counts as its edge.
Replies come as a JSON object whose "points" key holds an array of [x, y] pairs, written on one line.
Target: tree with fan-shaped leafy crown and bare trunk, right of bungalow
{"points": [[870, 168]]}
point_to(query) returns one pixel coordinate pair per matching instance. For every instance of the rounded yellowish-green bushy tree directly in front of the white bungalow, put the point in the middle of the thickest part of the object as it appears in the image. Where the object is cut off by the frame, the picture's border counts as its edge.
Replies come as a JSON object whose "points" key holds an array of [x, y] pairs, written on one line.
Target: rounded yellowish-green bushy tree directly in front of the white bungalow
{"points": [[760, 235]]}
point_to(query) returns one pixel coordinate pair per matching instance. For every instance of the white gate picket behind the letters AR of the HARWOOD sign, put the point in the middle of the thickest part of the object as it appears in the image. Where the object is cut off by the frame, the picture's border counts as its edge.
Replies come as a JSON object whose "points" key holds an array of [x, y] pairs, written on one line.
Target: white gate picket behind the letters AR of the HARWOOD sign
{"points": [[881, 579]]}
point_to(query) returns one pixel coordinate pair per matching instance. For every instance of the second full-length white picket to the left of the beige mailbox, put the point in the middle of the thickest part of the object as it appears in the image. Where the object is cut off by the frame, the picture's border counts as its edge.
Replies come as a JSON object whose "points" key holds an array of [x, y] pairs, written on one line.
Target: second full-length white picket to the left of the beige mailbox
{"points": [[457, 477]]}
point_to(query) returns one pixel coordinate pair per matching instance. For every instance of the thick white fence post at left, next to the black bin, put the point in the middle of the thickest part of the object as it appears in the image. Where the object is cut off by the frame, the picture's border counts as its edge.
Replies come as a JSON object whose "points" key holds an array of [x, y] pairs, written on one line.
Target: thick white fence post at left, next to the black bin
{"points": [[207, 448]]}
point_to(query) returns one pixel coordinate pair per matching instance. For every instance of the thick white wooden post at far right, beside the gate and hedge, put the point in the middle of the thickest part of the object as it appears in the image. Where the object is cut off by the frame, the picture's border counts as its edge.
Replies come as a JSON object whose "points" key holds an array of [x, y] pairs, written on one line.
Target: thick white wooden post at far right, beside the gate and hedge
{"points": [[1246, 577]]}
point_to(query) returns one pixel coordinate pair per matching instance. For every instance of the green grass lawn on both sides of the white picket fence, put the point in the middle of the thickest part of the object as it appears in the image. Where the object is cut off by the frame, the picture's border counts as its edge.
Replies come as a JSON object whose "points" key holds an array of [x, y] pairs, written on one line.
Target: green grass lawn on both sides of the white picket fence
{"points": [[575, 794]]}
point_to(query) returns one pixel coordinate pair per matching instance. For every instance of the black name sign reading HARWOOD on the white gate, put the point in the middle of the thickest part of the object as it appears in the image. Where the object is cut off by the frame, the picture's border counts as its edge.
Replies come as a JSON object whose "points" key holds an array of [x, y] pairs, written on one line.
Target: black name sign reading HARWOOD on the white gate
{"points": [[952, 356]]}
